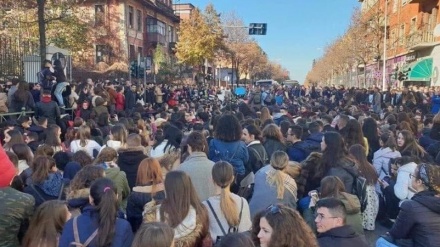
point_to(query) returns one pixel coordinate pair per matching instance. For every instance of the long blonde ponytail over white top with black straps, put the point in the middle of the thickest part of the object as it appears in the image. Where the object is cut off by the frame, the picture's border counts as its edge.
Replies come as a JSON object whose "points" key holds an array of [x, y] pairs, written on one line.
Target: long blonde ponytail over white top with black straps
{"points": [[223, 176]]}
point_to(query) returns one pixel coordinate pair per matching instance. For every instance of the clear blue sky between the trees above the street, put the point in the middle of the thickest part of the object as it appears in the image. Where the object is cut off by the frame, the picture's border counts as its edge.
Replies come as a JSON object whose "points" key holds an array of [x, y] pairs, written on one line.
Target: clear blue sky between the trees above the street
{"points": [[297, 30]]}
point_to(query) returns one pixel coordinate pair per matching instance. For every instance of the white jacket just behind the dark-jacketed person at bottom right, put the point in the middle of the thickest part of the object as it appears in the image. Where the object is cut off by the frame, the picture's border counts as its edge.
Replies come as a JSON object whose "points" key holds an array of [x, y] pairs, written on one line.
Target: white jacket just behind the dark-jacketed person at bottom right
{"points": [[403, 183]]}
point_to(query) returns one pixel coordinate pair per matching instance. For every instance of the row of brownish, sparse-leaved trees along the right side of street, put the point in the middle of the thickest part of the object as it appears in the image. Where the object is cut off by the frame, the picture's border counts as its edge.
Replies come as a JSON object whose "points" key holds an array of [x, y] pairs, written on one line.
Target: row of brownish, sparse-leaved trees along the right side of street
{"points": [[362, 44]]}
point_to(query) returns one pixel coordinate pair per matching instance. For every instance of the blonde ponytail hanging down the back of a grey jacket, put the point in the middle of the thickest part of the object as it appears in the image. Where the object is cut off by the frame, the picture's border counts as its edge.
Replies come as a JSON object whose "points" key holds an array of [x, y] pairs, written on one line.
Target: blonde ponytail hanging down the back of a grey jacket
{"points": [[278, 161]]}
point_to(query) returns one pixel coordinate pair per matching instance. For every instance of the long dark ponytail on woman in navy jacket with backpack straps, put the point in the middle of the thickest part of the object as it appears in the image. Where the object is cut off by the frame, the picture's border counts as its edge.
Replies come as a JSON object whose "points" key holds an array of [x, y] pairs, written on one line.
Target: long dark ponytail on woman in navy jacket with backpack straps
{"points": [[103, 192]]}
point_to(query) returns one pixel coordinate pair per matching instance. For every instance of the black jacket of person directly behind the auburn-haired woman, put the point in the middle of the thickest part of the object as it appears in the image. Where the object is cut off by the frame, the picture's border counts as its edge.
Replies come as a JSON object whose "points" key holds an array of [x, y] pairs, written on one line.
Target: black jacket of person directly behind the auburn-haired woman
{"points": [[129, 160]]}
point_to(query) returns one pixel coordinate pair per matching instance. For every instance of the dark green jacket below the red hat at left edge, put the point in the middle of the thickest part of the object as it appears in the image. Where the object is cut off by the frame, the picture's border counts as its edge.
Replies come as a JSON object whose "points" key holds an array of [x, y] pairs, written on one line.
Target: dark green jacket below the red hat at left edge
{"points": [[16, 209]]}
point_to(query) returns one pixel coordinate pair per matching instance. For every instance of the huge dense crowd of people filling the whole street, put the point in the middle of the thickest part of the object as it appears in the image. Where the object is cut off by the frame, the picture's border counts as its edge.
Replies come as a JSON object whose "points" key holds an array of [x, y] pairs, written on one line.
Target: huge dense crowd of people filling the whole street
{"points": [[166, 166]]}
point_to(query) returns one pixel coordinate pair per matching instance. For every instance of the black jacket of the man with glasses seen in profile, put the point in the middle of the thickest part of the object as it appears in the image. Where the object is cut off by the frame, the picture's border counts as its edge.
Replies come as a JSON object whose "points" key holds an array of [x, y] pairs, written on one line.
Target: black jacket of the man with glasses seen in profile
{"points": [[343, 236]]}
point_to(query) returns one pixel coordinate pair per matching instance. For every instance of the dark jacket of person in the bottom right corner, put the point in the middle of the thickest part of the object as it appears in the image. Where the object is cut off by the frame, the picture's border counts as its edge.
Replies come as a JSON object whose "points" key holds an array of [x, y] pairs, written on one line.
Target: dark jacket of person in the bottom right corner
{"points": [[419, 220]]}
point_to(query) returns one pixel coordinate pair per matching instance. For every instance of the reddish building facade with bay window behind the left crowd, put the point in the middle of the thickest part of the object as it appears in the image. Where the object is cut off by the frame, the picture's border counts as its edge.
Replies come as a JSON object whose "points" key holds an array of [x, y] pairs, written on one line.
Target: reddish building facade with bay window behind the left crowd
{"points": [[126, 31]]}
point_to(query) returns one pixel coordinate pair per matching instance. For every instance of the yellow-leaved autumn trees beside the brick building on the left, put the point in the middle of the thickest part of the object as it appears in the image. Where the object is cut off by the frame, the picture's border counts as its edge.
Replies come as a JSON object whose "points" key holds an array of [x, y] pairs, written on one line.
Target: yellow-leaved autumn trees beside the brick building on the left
{"points": [[223, 41]]}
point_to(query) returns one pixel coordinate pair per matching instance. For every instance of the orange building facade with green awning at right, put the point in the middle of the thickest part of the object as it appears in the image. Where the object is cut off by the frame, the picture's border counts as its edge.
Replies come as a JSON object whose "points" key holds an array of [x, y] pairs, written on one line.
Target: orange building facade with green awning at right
{"points": [[412, 42]]}
